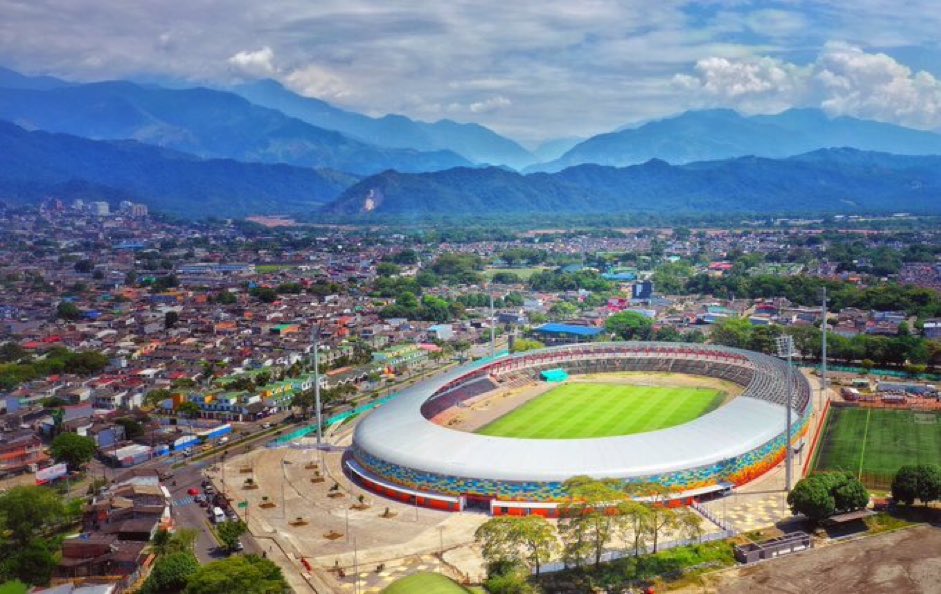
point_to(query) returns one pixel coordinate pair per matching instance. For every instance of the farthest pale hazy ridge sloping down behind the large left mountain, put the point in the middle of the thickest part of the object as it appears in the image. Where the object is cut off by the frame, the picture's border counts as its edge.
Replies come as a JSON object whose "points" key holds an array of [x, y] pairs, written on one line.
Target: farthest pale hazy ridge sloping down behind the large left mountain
{"points": [[473, 141]]}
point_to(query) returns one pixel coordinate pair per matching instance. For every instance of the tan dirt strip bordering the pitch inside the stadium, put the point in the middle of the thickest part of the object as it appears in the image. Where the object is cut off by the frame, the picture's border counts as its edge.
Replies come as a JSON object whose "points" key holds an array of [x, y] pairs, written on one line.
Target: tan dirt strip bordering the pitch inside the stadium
{"points": [[503, 400]]}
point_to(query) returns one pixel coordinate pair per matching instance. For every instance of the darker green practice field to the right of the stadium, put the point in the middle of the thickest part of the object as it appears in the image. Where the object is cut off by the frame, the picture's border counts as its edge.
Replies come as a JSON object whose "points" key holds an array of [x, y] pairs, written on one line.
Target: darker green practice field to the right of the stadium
{"points": [[874, 443]]}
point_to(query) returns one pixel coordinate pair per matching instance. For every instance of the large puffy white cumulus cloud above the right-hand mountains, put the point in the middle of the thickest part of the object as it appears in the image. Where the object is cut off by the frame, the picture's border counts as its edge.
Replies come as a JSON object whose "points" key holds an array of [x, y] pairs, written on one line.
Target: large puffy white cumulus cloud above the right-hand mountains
{"points": [[843, 80]]}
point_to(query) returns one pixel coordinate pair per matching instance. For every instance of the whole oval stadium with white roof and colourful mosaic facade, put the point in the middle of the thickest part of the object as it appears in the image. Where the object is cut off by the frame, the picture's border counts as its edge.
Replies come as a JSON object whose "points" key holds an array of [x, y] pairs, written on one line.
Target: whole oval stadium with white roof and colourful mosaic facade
{"points": [[504, 435]]}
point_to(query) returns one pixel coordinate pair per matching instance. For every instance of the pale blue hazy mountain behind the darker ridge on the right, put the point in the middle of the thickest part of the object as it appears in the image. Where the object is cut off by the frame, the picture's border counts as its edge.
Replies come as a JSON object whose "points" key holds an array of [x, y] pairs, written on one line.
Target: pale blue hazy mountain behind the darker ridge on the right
{"points": [[723, 134]]}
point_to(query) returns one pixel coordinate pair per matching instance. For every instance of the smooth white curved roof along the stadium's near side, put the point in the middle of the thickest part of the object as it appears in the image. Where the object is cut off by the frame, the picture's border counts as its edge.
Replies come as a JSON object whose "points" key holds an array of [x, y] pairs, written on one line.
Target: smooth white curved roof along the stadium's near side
{"points": [[398, 433]]}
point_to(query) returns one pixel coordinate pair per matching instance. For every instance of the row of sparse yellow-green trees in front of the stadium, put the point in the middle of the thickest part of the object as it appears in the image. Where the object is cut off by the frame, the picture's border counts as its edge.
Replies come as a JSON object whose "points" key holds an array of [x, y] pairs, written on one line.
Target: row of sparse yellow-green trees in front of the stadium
{"points": [[595, 514]]}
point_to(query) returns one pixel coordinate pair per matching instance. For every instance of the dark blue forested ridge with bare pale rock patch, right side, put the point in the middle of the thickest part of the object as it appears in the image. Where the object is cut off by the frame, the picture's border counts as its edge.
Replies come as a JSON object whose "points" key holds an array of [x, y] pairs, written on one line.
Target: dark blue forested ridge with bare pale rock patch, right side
{"points": [[823, 181]]}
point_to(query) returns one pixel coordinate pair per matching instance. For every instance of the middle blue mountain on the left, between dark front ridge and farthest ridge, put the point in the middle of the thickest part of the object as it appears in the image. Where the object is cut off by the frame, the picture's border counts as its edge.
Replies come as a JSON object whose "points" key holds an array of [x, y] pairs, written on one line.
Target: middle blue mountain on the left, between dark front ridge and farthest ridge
{"points": [[203, 122]]}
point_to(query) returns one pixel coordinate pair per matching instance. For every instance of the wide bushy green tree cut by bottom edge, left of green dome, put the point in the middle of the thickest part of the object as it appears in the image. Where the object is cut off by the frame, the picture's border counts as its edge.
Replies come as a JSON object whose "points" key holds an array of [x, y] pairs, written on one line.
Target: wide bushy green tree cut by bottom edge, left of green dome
{"points": [[247, 574]]}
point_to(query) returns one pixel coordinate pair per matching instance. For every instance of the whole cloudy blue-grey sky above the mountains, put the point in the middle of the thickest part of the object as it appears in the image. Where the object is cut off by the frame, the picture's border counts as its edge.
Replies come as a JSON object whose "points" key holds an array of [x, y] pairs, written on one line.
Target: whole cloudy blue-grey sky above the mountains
{"points": [[531, 70]]}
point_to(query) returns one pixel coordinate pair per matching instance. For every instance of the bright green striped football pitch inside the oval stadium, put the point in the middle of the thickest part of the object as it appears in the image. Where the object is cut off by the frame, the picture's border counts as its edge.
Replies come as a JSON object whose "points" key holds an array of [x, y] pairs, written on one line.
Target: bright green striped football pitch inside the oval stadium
{"points": [[577, 410]]}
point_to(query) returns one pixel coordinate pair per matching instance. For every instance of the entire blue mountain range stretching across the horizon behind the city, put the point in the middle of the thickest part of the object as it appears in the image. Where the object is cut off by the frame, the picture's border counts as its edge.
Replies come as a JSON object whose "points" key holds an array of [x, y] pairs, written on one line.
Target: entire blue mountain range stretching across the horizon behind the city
{"points": [[260, 148]]}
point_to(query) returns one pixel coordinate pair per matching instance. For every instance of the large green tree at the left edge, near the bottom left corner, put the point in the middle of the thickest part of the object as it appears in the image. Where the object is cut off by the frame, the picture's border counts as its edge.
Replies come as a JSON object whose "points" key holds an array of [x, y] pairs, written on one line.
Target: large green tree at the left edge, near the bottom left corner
{"points": [[26, 511]]}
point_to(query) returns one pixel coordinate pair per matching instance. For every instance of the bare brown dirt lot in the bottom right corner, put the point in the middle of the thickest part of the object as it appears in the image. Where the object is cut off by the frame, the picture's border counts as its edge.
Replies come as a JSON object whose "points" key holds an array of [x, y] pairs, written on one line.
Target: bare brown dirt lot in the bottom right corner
{"points": [[903, 561]]}
